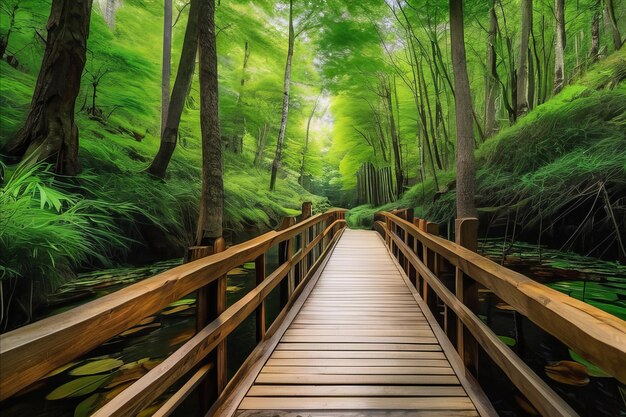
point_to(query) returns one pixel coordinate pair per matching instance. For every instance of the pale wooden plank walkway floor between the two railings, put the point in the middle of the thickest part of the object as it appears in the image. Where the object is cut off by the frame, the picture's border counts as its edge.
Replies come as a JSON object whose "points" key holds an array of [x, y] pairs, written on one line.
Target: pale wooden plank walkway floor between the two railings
{"points": [[362, 344]]}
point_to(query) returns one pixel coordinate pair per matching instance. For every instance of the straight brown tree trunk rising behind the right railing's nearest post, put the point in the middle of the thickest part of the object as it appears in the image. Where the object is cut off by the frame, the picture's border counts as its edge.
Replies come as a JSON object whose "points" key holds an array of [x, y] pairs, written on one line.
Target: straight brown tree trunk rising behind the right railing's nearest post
{"points": [[465, 170]]}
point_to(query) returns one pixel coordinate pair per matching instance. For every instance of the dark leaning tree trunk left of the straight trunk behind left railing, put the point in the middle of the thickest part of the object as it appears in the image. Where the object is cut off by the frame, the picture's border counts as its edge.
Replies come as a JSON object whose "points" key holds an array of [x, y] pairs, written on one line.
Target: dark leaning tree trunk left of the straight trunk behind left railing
{"points": [[186, 66]]}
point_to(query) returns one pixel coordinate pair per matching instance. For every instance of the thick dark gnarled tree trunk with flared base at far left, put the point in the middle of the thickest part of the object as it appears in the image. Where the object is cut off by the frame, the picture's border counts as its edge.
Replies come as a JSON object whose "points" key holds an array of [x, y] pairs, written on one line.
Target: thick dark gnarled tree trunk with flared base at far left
{"points": [[50, 129]]}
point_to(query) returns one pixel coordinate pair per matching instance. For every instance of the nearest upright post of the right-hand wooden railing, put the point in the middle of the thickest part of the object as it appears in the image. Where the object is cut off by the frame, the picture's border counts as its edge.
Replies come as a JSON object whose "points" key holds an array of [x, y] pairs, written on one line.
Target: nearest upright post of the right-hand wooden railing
{"points": [[466, 232]]}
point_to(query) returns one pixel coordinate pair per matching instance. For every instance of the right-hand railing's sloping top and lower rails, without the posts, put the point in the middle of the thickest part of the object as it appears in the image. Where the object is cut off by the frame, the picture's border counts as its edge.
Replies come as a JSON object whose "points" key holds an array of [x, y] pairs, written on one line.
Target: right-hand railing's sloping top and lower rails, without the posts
{"points": [[591, 332]]}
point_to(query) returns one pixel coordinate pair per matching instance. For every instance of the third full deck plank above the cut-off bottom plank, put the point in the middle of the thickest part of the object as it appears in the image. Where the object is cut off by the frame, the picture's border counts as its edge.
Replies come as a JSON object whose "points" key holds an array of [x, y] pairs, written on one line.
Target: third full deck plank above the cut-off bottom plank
{"points": [[315, 379]]}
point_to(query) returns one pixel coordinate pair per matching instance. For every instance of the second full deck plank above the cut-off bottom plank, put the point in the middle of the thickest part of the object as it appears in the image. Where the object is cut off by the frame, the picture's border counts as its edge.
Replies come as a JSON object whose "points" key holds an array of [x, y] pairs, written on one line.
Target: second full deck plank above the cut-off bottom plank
{"points": [[355, 391]]}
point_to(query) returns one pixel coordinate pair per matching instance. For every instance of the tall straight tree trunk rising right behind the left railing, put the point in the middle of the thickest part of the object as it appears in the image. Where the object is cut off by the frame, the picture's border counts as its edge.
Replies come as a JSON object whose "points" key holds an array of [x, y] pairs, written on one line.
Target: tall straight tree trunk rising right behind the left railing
{"points": [[212, 197]]}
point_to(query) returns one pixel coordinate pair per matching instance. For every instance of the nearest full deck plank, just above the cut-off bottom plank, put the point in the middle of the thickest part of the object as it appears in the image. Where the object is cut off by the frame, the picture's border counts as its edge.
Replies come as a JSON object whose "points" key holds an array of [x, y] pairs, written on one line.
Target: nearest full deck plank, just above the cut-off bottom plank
{"points": [[356, 403]]}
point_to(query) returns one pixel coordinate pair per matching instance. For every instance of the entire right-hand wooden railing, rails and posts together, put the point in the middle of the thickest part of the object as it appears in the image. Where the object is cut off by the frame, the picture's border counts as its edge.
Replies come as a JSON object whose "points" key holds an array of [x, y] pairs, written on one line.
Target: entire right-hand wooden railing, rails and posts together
{"points": [[597, 336]]}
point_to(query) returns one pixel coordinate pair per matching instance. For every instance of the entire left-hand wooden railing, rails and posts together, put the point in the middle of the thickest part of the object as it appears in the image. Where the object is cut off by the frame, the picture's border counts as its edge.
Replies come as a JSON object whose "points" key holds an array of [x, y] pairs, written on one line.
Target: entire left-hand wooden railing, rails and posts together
{"points": [[29, 353]]}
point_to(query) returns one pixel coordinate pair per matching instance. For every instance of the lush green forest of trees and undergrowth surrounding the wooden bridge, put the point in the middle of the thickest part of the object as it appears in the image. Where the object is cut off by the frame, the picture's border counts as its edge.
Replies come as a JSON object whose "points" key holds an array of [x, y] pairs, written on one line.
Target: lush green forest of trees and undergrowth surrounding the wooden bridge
{"points": [[132, 130]]}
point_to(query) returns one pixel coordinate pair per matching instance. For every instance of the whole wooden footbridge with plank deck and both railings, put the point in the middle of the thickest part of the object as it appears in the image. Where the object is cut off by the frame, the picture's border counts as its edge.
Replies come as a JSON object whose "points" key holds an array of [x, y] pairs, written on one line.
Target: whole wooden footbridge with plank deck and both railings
{"points": [[372, 323]]}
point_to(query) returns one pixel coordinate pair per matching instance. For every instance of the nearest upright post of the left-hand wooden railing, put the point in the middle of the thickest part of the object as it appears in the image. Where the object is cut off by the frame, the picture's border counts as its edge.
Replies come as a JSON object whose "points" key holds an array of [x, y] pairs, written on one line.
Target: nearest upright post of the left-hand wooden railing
{"points": [[210, 303]]}
